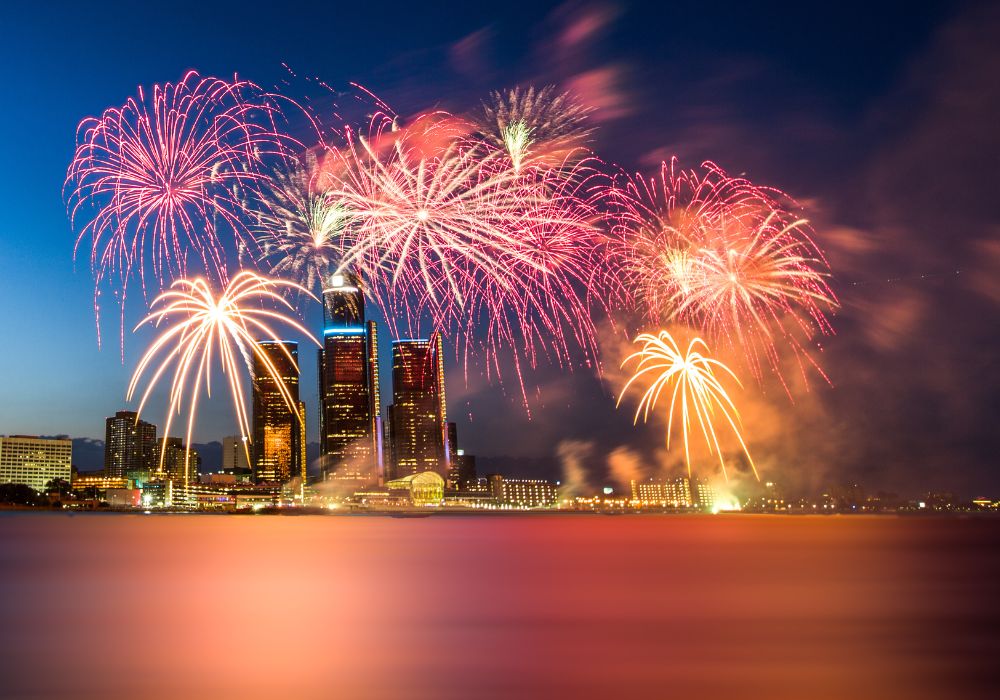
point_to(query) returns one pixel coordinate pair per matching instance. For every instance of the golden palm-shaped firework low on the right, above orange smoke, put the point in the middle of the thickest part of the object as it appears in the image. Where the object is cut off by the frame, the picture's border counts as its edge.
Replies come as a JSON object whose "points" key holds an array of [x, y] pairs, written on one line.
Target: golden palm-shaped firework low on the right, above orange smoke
{"points": [[696, 394]]}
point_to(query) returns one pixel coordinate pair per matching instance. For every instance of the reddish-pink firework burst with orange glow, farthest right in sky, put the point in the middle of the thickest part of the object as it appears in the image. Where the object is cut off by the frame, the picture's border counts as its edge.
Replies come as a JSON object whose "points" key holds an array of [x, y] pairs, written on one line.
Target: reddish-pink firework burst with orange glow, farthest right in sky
{"points": [[725, 256]]}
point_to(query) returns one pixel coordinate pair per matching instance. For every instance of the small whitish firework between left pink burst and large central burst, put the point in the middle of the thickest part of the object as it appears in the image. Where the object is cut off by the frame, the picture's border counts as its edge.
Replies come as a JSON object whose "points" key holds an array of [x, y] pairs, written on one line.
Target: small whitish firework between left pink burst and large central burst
{"points": [[300, 223]]}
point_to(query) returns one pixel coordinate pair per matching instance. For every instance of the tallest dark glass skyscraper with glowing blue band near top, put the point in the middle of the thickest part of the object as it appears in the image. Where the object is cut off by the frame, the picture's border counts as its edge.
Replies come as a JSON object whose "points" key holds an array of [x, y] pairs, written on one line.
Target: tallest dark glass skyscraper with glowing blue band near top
{"points": [[350, 404]]}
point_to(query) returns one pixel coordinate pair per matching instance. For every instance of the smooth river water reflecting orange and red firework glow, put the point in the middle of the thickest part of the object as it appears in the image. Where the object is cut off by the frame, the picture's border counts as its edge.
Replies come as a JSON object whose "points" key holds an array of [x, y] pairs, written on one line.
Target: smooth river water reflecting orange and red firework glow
{"points": [[121, 606]]}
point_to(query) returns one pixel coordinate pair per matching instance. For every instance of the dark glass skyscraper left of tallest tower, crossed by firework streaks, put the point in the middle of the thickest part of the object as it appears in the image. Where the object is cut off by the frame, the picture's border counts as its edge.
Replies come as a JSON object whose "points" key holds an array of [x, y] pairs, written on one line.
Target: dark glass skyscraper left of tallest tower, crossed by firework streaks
{"points": [[277, 430]]}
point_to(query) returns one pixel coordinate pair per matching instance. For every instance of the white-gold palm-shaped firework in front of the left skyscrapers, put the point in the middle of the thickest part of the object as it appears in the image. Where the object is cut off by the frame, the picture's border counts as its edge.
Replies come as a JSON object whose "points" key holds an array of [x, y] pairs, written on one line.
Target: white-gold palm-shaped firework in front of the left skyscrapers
{"points": [[199, 328]]}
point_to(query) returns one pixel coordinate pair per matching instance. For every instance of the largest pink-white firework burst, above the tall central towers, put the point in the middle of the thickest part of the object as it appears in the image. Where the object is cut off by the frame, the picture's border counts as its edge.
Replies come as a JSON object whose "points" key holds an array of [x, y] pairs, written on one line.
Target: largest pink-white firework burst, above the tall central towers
{"points": [[446, 232]]}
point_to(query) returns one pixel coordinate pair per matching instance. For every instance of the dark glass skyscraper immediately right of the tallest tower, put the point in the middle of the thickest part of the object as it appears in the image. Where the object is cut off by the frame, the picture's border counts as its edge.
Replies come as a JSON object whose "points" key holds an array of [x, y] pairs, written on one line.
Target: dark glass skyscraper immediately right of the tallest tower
{"points": [[418, 420]]}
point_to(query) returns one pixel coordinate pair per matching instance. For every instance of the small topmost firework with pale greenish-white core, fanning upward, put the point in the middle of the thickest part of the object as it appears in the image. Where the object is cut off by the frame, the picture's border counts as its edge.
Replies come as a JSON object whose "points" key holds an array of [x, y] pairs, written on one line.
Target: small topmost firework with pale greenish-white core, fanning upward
{"points": [[535, 126]]}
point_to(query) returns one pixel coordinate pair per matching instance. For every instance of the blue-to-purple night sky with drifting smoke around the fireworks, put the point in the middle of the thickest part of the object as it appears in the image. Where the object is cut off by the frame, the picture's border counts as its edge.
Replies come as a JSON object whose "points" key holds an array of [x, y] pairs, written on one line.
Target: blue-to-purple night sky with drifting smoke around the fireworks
{"points": [[881, 120]]}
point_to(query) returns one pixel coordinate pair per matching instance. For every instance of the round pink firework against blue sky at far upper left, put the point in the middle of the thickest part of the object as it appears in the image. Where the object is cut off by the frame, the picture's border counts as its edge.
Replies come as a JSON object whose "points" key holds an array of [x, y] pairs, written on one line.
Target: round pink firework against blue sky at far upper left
{"points": [[158, 178]]}
